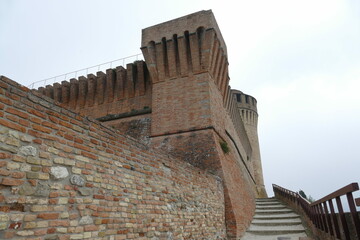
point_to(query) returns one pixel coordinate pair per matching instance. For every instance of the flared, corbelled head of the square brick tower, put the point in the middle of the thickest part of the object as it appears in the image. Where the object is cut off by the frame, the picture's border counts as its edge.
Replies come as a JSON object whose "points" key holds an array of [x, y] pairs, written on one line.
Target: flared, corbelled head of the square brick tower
{"points": [[186, 52]]}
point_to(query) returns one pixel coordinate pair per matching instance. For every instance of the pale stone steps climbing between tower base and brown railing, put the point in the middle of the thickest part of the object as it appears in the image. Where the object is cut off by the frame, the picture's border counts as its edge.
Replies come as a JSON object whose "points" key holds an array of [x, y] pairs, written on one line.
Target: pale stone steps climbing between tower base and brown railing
{"points": [[274, 221]]}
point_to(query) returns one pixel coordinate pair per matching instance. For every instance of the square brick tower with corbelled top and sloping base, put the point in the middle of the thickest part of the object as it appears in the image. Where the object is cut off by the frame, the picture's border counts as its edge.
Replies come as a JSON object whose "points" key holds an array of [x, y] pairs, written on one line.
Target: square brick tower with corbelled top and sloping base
{"points": [[194, 113]]}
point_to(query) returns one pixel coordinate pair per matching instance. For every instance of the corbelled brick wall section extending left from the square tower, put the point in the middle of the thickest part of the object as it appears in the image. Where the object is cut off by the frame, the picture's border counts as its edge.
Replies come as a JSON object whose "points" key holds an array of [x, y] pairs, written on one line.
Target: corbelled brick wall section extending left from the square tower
{"points": [[117, 85]]}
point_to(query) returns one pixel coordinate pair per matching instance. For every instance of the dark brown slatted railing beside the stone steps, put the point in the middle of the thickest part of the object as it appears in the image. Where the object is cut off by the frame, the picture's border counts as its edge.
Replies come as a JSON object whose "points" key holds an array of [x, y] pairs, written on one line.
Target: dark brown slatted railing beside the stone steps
{"points": [[323, 214]]}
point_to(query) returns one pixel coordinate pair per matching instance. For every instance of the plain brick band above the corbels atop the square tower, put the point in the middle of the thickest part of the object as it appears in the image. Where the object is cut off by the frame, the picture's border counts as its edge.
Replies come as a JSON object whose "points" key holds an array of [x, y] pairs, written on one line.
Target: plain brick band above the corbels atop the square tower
{"points": [[178, 26]]}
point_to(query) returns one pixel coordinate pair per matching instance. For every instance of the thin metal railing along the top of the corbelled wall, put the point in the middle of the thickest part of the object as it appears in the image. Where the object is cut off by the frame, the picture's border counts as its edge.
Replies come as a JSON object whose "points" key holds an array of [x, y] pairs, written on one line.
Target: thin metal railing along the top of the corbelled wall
{"points": [[85, 71]]}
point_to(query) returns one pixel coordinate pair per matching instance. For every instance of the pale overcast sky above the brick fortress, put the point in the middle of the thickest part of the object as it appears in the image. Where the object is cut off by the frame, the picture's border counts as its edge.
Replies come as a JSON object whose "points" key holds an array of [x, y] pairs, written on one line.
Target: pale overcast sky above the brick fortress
{"points": [[299, 59]]}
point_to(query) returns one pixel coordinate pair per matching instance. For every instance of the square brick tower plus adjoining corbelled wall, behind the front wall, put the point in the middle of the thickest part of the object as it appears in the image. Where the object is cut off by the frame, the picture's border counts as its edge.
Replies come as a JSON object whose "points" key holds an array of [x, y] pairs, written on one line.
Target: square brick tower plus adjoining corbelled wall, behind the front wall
{"points": [[179, 102]]}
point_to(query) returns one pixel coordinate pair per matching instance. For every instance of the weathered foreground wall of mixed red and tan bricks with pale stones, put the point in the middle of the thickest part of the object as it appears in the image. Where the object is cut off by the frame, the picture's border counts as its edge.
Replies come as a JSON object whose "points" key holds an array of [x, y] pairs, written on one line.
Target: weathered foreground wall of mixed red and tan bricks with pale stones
{"points": [[66, 176]]}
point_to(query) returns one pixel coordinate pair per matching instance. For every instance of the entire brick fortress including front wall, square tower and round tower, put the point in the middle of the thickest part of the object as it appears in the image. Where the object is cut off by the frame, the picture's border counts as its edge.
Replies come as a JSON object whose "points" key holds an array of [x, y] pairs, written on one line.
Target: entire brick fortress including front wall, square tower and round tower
{"points": [[161, 149]]}
